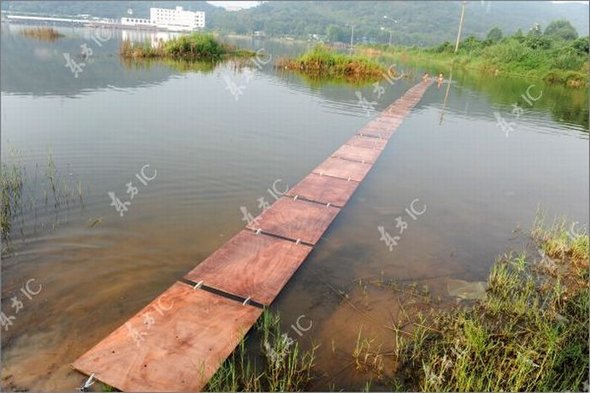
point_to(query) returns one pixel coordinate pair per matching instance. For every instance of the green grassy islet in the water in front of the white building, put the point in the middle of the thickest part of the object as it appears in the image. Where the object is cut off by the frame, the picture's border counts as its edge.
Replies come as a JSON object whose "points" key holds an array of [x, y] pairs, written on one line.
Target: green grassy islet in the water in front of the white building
{"points": [[195, 46]]}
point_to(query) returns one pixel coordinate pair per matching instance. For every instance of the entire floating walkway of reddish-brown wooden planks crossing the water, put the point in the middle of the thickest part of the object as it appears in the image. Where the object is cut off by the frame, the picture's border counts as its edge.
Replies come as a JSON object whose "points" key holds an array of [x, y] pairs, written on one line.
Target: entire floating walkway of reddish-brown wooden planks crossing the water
{"points": [[179, 340]]}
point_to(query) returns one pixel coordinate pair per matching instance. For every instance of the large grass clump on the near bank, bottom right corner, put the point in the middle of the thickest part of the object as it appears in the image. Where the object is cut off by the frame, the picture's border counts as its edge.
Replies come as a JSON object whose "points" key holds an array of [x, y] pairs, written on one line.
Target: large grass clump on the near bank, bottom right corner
{"points": [[529, 334]]}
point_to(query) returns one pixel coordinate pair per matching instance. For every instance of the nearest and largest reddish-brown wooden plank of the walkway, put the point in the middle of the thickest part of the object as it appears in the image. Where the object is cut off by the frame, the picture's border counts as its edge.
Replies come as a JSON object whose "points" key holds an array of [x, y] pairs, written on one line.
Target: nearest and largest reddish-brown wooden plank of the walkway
{"points": [[182, 338]]}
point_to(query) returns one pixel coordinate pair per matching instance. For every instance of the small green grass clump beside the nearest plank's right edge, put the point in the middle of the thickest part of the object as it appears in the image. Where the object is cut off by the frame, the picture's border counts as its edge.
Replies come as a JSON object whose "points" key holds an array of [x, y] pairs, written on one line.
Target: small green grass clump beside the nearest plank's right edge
{"points": [[282, 366]]}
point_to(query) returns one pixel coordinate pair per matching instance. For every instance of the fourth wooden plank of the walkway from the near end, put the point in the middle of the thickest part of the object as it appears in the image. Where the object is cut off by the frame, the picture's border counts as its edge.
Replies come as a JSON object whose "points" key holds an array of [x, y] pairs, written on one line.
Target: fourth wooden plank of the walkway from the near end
{"points": [[324, 189]]}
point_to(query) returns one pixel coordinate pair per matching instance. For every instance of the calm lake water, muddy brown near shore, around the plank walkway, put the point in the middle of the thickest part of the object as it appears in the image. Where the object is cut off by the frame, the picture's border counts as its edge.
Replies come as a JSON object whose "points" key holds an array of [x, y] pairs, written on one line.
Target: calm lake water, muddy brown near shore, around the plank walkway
{"points": [[216, 139]]}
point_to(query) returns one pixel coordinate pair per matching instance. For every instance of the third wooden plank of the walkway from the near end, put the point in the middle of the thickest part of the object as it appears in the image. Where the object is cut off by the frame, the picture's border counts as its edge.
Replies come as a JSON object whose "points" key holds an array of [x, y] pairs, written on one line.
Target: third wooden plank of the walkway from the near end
{"points": [[296, 219]]}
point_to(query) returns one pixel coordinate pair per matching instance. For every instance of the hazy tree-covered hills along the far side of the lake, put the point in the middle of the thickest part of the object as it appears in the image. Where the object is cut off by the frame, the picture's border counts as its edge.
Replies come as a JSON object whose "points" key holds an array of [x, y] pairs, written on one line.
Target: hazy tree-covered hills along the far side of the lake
{"points": [[411, 22]]}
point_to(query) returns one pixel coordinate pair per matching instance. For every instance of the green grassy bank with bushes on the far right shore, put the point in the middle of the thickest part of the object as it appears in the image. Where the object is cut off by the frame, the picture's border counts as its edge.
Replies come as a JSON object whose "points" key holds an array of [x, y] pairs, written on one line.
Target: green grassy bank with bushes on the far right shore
{"points": [[551, 57]]}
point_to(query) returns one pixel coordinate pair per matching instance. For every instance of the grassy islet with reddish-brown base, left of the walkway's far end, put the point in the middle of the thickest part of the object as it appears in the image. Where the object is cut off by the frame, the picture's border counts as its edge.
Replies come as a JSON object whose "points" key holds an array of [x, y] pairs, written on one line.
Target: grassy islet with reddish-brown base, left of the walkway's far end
{"points": [[321, 62]]}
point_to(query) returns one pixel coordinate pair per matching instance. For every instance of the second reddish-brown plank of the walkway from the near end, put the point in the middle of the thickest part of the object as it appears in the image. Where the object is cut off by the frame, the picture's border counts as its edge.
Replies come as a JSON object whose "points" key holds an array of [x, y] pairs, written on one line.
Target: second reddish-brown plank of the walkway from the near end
{"points": [[251, 265]]}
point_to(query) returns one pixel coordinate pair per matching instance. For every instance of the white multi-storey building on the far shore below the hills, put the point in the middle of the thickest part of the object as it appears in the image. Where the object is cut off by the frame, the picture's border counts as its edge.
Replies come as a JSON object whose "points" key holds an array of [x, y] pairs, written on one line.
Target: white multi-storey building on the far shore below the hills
{"points": [[170, 19]]}
